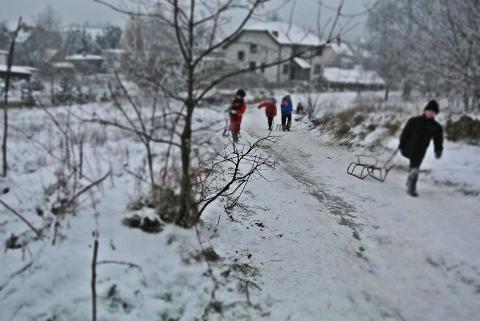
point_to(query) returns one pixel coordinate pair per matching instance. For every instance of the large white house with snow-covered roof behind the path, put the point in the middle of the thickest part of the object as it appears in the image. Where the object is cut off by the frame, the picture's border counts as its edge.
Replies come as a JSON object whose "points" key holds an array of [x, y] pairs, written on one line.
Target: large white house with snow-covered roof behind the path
{"points": [[263, 43]]}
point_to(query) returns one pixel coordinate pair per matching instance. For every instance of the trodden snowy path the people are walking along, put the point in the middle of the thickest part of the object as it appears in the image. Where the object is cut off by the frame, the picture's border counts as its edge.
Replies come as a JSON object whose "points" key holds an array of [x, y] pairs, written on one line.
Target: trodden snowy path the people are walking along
{"points": [[331, 247]]}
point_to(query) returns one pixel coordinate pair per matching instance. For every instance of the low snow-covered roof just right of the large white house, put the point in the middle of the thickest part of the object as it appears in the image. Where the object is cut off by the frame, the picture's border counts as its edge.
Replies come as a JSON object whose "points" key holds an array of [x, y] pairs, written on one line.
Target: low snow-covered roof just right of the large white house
{"points": [[357, 75]]}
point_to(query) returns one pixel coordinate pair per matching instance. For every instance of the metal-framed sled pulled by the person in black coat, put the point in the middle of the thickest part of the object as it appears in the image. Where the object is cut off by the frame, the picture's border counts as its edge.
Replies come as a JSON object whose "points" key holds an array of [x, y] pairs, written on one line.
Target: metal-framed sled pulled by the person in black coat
{"points": [[366, 165]]}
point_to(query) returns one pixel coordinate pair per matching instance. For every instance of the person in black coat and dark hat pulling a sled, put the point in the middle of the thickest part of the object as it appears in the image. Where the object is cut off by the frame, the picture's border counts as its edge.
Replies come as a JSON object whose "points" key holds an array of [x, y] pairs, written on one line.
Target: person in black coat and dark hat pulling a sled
{"points": [[415, 139]]}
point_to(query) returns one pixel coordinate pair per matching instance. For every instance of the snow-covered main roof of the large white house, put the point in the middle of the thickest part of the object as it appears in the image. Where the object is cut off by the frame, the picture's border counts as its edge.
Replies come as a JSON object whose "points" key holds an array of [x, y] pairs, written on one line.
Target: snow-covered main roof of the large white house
{"points": [[287, 34]]}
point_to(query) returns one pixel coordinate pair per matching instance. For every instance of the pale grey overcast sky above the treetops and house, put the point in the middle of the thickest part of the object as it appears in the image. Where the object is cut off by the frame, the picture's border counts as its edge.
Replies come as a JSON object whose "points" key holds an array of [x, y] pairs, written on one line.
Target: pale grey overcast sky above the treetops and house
{"points": [[79, 11]]}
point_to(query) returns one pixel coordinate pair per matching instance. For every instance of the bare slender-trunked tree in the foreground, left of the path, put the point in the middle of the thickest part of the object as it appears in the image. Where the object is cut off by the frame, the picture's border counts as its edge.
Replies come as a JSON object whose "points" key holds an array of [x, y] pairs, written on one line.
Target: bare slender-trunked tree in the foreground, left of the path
{"points": [[197, 29]]}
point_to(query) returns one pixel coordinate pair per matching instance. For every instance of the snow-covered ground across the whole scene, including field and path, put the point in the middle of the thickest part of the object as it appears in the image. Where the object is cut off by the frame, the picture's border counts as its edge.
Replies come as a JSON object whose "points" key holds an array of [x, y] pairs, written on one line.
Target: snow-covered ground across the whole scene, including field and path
{"points": [[308, 242]]}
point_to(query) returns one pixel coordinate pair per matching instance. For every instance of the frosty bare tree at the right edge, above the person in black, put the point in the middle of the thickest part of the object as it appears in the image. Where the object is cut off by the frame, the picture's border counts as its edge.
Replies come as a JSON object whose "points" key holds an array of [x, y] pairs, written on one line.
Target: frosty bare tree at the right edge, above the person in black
{"points": [[445, 46]]}
